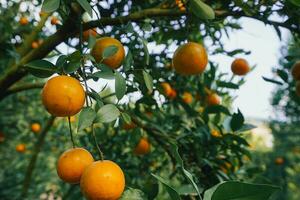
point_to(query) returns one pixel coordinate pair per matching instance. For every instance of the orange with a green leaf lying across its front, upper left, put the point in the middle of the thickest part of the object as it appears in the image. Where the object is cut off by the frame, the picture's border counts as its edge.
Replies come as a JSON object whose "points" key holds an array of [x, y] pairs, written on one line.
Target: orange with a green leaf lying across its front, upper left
{"points": [[114, 61]]}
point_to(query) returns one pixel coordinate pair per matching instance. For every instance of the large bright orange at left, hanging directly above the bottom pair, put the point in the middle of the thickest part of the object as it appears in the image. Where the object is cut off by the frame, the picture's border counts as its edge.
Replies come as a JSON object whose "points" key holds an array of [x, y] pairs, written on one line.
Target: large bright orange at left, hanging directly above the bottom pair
{"points": [[63, 96]]}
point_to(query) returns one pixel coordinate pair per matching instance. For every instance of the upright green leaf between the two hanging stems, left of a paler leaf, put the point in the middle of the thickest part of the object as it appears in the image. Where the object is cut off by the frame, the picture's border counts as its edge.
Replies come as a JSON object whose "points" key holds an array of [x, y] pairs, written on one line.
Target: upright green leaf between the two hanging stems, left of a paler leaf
{"points": [[86, 118]]}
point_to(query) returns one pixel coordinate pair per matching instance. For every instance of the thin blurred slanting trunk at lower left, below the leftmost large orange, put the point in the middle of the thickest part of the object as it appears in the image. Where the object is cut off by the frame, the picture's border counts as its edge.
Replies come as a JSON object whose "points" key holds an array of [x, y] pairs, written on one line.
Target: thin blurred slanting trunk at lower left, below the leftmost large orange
{"points": [[36, 151]]}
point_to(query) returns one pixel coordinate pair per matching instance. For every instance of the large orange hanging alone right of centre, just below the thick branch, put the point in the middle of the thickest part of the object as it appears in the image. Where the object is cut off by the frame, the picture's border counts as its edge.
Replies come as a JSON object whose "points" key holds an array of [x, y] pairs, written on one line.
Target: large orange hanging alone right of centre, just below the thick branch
{"points": [[190, 59]]}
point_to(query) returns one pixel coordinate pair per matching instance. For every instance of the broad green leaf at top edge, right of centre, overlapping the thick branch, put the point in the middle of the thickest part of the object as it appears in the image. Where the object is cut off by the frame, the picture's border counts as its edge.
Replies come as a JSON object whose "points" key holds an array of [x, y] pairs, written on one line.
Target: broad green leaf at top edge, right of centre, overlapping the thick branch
{"points": [[201, 10]]}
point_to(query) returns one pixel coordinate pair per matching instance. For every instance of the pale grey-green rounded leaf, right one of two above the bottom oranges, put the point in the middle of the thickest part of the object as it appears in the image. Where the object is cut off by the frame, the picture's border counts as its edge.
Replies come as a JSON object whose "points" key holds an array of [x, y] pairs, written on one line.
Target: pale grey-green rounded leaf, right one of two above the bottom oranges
{"points": [[107, 113]]}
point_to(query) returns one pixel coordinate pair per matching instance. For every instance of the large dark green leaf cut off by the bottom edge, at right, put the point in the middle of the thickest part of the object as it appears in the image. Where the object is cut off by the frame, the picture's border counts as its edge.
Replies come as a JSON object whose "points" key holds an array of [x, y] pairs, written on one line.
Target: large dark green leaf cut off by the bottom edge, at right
{"points": [[240, 191]]}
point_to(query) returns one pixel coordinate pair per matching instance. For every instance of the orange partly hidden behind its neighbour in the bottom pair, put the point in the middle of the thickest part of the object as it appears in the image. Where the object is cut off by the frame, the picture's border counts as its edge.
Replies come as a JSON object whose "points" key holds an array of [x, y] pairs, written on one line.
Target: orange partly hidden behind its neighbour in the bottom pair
{"points": [[72, 163]]}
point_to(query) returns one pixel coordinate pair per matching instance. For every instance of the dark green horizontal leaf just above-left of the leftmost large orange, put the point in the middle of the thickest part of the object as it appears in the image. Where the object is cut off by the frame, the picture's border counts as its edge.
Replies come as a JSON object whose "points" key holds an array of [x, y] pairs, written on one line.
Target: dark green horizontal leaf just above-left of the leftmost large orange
{"points": [[41, 68]]}
